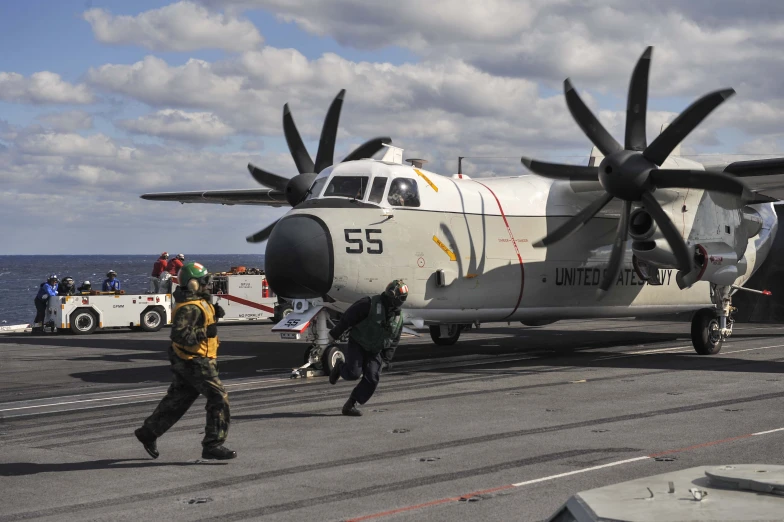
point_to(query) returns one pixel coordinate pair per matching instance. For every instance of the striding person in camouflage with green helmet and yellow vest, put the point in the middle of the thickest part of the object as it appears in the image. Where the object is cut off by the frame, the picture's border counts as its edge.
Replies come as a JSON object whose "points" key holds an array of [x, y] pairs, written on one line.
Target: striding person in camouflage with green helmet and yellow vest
{"points": [[193, 356]]}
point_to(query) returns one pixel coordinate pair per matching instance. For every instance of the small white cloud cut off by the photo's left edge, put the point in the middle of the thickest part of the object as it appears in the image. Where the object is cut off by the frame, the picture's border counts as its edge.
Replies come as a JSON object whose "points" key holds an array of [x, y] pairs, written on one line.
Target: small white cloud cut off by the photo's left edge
{"points": [[42, 88]]}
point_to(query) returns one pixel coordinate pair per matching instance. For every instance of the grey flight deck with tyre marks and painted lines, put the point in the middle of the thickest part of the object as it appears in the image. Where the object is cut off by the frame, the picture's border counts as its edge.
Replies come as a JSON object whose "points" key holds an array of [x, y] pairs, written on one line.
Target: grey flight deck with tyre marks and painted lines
{"points": [[507, 424]]}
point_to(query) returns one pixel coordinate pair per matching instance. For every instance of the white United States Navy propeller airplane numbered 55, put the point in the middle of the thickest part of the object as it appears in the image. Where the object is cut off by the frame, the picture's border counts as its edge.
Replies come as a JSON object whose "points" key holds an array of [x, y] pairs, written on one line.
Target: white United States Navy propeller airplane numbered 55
{"points": [[493, 249]]}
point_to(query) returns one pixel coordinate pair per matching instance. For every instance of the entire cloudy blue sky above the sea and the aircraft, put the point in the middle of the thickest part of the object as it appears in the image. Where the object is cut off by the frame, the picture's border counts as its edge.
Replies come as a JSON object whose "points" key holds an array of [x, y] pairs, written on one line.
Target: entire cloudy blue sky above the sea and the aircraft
{"points": [[103, 100]]}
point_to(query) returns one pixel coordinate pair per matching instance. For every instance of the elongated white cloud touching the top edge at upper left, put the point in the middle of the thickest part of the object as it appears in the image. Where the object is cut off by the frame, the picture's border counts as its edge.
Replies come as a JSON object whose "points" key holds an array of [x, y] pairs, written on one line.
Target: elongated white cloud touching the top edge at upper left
{"points": [[182, 26]]}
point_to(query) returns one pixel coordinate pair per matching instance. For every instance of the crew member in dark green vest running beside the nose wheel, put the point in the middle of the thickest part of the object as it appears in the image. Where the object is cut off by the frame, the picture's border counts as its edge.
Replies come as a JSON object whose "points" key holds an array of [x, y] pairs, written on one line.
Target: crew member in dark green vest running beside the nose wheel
{"points": [[376, 325]]}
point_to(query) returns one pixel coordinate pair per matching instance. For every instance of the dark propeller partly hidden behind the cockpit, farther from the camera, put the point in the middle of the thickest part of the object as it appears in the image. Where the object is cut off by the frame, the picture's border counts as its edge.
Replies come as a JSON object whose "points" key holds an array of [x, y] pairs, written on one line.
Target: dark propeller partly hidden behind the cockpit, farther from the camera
{"points": [[296, 188]]}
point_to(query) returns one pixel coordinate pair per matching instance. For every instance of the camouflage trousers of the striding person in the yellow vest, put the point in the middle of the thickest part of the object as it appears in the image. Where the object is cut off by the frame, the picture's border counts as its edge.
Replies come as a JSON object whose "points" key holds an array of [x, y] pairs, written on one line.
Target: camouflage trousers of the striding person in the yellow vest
{"points": [[191, 378]]}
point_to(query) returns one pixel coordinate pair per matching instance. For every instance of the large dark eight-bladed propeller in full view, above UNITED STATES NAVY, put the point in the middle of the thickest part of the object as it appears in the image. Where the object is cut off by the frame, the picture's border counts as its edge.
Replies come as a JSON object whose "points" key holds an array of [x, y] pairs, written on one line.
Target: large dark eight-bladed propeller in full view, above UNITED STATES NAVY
{"points": [[631, 173]]}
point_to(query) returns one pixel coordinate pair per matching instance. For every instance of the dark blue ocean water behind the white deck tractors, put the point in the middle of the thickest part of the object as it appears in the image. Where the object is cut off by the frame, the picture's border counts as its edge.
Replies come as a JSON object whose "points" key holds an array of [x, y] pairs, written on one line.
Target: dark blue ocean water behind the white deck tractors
{"points": [[21, 276]]}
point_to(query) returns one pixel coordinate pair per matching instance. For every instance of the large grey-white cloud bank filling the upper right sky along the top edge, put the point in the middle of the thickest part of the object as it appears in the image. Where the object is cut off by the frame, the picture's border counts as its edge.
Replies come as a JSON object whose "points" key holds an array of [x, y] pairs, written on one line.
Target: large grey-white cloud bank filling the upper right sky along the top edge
{"points": [[595, 42]]}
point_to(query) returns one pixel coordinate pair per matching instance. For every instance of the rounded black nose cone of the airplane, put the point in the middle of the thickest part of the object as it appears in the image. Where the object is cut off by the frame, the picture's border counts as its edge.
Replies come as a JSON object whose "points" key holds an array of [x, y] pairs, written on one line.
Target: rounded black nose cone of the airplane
{"points": [[299, 260]]}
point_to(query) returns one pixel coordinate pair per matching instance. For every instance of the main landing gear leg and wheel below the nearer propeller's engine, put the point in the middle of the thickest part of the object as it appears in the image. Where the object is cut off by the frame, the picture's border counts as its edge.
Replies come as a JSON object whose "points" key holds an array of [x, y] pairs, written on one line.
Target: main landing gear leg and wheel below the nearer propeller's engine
{"points": [[711, 326]]}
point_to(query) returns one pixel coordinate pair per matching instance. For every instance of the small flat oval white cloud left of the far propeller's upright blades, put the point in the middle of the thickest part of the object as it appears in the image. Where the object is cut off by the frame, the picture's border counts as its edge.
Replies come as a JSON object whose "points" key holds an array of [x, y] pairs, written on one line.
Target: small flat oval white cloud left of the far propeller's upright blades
{"points": [[193, 127]]}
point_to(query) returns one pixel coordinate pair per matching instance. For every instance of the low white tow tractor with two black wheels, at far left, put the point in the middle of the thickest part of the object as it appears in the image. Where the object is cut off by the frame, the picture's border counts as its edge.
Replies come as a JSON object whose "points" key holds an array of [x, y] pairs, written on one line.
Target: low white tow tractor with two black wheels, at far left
{"points": [[84, 313]]}
